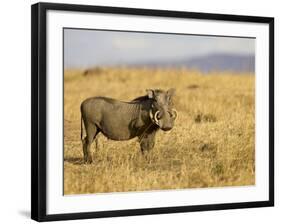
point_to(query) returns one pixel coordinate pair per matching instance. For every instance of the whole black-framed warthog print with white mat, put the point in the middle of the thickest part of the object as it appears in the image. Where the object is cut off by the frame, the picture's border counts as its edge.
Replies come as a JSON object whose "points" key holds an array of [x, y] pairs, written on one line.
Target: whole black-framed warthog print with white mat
{"points": [[139, 111]]}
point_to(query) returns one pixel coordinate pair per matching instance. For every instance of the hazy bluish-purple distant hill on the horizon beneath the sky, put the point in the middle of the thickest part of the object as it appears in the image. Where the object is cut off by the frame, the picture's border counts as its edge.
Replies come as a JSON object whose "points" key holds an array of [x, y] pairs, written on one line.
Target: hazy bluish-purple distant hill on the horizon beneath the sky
{"points": [[212, 62]]}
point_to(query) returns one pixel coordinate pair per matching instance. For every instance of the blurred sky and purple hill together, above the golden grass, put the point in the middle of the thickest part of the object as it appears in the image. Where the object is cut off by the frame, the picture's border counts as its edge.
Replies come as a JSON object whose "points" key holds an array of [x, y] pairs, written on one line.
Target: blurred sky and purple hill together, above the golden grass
{"points": [[91, 48]]}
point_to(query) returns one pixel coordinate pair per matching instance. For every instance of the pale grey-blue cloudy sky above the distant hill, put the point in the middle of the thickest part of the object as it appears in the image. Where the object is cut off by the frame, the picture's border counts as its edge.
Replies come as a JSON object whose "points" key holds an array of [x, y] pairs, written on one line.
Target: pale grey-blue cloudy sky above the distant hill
{"points": [[86, 48]]}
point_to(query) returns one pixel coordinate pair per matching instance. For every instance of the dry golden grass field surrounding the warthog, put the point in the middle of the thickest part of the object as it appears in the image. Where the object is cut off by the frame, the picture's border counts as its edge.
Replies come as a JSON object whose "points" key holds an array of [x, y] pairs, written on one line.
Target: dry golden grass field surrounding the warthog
{"points": [[211, 144]]}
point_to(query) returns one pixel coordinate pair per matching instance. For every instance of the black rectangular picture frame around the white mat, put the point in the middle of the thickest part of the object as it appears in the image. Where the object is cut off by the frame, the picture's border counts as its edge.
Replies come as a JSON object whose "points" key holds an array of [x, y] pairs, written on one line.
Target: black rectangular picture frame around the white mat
{"points": [[38, 108]]}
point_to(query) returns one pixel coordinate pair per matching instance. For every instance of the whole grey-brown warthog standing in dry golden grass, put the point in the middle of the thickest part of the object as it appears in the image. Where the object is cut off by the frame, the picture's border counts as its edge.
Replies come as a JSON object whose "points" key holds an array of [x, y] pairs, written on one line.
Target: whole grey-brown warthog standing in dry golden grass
{"points": [[117, 120]]}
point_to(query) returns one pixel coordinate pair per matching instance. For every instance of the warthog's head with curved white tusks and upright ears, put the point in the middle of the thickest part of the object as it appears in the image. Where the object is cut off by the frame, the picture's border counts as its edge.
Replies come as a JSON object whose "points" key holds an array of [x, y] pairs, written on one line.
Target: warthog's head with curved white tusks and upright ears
{"points": [[162, 113]]}
